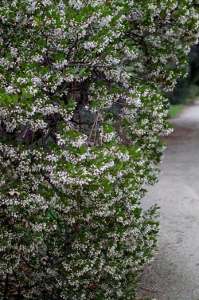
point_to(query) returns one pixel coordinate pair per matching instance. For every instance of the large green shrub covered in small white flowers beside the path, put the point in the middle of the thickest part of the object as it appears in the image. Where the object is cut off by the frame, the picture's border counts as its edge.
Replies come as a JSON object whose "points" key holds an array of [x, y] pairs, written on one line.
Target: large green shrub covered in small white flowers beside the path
{"points": [[81, 114]]}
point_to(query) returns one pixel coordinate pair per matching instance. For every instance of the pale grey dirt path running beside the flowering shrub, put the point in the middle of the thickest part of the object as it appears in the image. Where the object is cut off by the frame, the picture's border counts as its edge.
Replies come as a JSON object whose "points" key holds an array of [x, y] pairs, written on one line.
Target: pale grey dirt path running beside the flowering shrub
{"points": [[174, 274]]}
